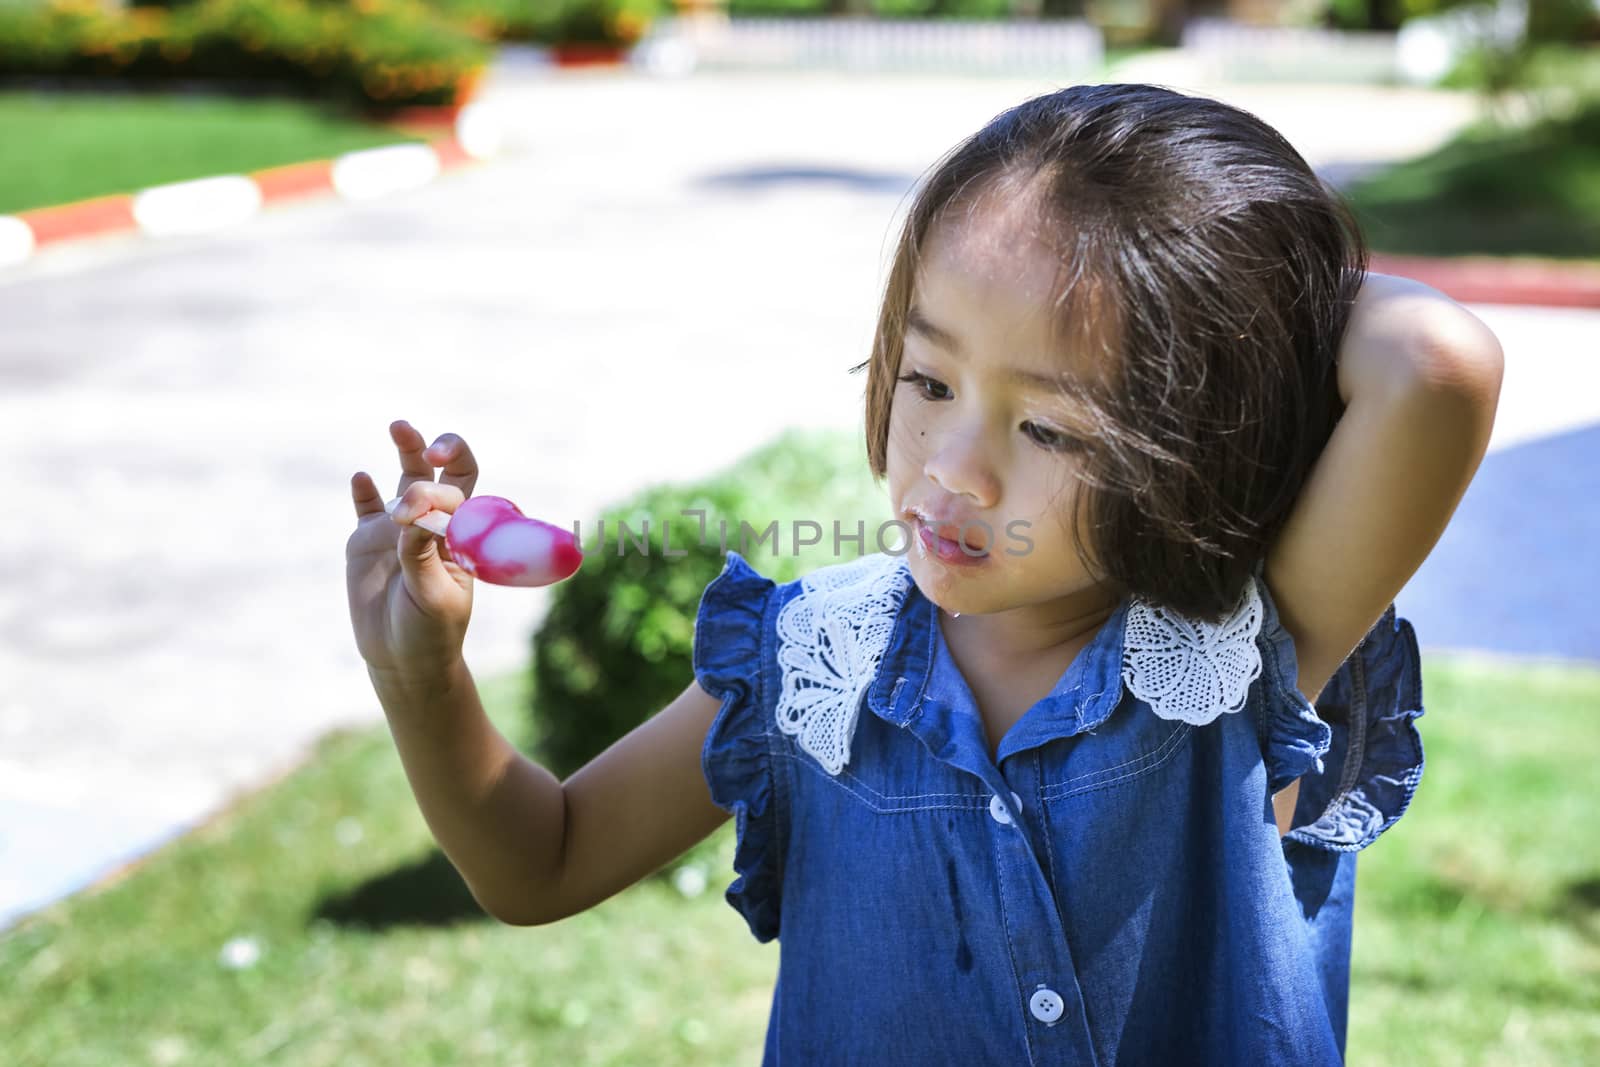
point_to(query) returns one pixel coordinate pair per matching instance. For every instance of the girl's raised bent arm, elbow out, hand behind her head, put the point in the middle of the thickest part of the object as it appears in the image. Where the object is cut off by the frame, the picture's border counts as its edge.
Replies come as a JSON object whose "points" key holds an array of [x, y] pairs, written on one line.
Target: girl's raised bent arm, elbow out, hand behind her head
{"points": [[1422, 378]]}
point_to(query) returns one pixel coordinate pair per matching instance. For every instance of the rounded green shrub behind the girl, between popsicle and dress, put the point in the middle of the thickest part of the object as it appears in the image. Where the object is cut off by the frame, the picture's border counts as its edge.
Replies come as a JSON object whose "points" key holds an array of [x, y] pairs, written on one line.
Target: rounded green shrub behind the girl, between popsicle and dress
{"points": [[617, 644]]}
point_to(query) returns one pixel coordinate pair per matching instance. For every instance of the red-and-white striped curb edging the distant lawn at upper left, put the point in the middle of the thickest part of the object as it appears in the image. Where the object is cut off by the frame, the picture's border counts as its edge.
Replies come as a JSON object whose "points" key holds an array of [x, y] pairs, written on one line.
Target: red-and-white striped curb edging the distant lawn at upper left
{"points": [[212, 204]]}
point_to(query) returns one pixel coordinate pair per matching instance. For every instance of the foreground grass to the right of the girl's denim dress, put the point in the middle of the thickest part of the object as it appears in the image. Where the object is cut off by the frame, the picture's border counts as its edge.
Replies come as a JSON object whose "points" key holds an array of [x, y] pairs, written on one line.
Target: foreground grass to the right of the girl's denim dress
{"points": [[1478, 916]]}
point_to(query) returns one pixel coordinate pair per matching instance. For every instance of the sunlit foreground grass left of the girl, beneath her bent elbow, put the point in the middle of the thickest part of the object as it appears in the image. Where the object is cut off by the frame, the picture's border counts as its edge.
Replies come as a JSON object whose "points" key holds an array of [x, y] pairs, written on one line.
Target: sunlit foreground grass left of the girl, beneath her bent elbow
{"points": [[372, 951]]}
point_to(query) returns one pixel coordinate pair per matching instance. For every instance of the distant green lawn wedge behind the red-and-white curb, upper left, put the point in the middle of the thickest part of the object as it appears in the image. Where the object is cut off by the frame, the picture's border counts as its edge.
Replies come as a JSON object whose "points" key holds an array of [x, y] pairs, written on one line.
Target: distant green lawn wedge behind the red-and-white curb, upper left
{"points": [[71, 146]]}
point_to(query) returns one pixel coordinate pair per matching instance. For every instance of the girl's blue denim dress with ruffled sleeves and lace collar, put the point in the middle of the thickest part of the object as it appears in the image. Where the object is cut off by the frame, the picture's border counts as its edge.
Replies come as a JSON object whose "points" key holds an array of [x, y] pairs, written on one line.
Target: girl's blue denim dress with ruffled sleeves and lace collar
{"points": [[1110, 890]]}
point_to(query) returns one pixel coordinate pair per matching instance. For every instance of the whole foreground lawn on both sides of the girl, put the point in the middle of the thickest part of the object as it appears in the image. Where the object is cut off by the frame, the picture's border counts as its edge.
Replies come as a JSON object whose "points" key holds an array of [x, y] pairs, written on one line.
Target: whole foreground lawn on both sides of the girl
{"points": [[1478, 933]]}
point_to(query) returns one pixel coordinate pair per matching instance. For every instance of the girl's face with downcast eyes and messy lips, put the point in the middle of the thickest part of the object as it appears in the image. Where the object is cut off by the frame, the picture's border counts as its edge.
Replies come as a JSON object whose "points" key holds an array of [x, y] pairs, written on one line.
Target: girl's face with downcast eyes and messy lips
{"points": [[978, 434]]}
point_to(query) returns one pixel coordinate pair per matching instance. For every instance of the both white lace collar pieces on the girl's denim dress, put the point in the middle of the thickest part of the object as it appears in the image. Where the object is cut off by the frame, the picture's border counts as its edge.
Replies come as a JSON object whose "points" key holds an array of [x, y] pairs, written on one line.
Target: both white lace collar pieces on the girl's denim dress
{"points": [[834, 633]]}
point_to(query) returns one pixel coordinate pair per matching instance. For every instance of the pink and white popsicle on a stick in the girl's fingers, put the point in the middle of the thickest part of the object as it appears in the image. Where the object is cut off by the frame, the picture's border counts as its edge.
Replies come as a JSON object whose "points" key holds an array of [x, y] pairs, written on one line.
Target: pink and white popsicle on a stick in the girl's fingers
{"points": [[492, 540]]}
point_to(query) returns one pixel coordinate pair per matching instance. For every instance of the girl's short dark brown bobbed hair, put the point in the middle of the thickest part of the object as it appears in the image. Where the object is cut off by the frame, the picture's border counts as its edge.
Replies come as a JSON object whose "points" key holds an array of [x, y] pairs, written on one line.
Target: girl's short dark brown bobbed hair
{"points": [[1209, 274]]}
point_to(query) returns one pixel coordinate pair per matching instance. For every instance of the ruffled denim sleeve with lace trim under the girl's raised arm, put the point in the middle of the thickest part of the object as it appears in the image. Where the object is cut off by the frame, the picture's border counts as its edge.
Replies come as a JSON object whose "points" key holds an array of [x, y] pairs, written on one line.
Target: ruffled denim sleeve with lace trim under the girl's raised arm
{"points": [[1358, 753]]}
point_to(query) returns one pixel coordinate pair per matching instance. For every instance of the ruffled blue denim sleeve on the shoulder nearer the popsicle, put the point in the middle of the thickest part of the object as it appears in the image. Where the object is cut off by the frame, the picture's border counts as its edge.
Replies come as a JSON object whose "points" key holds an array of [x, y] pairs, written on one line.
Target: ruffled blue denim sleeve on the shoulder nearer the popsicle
{"points": [[737, 757]]}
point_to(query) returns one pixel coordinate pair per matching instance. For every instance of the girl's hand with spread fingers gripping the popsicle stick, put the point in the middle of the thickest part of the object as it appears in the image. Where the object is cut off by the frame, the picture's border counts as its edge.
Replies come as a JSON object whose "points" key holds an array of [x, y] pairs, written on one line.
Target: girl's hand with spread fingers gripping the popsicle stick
{"points": [[409, 601]]}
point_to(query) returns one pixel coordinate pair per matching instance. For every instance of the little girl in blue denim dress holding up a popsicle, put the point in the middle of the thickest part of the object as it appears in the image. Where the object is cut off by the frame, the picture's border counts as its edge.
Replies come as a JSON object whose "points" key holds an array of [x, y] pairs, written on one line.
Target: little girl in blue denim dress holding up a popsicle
{"points": [[1074, 767]]}
